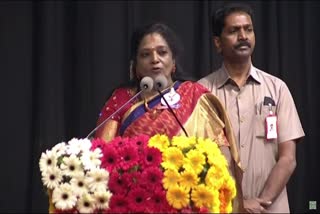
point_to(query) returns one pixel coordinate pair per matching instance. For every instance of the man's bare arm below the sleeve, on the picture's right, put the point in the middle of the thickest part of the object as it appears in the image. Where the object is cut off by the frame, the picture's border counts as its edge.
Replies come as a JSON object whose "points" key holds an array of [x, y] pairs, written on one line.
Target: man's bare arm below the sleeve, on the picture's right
{"points": [[281, 172]]}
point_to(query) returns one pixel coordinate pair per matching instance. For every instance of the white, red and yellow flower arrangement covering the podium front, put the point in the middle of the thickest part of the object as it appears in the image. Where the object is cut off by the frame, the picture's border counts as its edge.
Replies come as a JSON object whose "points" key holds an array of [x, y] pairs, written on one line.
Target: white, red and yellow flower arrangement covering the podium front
{"points": [[138, 174]]}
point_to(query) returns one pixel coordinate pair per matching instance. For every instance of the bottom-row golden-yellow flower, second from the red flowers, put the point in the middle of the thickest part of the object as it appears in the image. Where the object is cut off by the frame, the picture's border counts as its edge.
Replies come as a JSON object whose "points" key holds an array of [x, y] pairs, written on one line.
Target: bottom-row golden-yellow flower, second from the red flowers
{"points": [[202, 196]]}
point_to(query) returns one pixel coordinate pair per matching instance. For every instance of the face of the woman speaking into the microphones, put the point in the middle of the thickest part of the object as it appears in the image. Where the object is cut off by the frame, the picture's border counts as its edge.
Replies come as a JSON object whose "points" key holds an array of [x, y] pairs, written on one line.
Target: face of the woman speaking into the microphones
{"points": [[154, 57]]}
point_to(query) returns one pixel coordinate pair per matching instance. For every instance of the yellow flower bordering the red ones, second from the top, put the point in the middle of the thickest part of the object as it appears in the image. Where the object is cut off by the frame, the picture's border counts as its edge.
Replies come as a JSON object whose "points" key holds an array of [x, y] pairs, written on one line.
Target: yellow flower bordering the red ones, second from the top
{"points": [[172, 158]]}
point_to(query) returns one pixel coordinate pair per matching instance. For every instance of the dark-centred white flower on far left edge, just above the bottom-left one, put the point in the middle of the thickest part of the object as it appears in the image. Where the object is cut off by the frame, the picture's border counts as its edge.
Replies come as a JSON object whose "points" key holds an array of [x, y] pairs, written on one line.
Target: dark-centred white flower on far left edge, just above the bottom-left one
{"points": [[51, 177]]}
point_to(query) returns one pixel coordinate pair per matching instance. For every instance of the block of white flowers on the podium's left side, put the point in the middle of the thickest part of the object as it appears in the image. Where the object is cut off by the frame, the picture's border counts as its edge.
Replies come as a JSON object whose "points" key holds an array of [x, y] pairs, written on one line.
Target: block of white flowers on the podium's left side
{"points": [[75, 181]]}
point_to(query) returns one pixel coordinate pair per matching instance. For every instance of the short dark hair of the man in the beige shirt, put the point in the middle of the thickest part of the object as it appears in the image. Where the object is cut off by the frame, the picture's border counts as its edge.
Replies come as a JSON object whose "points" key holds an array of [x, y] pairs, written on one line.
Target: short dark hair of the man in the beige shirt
{"points": [[219, 16]]}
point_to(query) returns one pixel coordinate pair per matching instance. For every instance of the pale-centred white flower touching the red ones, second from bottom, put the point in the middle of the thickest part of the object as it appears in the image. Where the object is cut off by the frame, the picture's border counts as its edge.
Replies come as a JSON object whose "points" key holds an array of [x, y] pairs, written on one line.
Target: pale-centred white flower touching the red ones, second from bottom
{"points": [[97, 179]]}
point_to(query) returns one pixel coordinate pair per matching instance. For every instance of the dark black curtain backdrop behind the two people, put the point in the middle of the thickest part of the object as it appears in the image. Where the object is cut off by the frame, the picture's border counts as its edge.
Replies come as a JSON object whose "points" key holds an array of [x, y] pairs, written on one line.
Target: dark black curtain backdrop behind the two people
{"points": [[59, 62]]}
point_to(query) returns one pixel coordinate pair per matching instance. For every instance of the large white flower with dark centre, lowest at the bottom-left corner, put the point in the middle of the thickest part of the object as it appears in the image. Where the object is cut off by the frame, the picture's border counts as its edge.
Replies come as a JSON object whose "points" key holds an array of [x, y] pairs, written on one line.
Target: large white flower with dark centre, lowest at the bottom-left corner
{"points": [[63, 197]]}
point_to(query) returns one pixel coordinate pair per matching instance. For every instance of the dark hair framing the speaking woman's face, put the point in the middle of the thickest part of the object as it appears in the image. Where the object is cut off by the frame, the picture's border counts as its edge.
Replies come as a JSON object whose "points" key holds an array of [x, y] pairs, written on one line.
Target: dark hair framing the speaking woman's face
{"points": [[168, 35]]}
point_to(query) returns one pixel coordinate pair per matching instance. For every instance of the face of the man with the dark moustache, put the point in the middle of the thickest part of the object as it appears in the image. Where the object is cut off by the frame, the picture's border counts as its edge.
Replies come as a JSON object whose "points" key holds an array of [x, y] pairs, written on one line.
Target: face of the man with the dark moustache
{"points": [[237, 40]]}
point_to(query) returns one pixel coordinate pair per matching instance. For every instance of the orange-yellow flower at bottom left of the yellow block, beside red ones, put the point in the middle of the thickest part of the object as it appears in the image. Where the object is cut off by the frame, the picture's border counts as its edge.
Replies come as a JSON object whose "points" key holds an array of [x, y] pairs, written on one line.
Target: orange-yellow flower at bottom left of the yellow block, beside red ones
{"points": [[178, 197]]}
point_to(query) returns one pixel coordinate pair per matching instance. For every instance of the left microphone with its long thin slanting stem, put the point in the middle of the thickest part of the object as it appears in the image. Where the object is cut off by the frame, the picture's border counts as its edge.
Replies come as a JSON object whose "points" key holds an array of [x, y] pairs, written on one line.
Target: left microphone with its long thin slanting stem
{"points": [[146, 84]]}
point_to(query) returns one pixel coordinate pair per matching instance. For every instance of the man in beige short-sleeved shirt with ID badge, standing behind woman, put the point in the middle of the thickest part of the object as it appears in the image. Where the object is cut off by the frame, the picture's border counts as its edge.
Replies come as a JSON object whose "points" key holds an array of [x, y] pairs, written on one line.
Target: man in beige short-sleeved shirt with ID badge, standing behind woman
{"points": [[260, 106]]}
